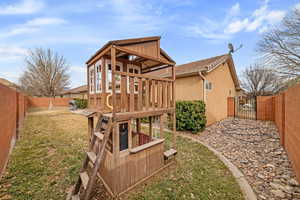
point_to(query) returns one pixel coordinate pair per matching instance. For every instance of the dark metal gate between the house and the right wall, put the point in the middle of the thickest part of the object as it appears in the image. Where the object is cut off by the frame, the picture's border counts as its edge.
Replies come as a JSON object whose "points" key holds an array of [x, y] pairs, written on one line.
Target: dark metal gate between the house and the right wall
{"points": [[245, 107]]}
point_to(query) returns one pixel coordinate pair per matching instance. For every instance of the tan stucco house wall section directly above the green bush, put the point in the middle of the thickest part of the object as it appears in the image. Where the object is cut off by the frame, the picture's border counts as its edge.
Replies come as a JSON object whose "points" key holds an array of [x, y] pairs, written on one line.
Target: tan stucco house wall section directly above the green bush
{"points": [[189, 88]]}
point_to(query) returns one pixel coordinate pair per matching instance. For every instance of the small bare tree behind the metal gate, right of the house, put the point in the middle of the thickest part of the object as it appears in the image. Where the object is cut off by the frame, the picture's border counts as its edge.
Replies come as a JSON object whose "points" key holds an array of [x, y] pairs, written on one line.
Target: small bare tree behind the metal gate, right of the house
{"points": [[260, 81]]}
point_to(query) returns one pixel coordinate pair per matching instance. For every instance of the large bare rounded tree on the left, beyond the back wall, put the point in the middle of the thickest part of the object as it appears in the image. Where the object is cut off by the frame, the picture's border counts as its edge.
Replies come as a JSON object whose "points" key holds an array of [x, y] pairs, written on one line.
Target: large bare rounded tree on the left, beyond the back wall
{"points": [[46, 73]]}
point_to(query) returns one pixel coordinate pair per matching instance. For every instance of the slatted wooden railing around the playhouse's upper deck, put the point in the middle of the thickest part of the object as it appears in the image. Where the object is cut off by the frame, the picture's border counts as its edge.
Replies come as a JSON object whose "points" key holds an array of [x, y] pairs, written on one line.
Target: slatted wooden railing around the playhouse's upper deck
{"points": [[140, 92]]}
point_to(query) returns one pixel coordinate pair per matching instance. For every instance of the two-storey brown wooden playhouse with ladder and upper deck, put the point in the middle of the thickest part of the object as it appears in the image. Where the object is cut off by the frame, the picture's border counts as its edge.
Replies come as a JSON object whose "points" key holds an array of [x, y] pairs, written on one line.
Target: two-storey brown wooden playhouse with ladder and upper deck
{"points": [[124, 151]]}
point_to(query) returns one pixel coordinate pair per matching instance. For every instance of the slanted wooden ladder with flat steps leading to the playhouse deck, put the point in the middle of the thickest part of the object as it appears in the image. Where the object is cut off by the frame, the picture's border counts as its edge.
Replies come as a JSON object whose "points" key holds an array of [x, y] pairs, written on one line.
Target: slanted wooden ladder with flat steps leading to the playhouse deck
{"points": [[95, 155]]}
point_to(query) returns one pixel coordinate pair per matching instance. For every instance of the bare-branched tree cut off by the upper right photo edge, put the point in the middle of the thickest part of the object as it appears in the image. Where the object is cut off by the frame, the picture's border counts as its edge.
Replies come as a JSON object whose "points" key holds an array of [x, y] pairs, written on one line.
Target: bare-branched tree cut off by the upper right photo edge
{"points": [[280, 47]]}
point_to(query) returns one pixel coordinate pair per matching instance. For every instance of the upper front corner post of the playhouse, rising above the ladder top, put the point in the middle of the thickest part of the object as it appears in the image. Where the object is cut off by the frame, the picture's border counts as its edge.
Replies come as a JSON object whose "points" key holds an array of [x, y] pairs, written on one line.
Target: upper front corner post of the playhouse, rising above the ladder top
{"points": [[113, 79]]}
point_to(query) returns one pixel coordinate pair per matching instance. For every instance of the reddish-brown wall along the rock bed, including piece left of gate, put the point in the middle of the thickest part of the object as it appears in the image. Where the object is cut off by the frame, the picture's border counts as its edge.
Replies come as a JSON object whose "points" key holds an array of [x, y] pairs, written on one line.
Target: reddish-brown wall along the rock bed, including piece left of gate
{"points": [[284, 110]]}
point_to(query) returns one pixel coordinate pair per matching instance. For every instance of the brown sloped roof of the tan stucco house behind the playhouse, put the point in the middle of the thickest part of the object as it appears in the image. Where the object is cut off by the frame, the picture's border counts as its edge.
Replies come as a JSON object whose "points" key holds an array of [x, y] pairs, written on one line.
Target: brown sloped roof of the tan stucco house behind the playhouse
{"points": [[205, 66]]}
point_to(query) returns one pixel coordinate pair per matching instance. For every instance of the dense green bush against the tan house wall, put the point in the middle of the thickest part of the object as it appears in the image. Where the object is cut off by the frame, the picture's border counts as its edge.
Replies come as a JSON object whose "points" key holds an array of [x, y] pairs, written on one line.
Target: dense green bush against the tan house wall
{"points": [[190, 116]]}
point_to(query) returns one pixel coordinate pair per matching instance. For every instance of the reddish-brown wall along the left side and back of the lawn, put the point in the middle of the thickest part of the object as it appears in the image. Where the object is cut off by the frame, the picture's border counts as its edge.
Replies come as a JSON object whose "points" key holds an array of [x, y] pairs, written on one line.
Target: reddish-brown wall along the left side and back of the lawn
{"points": [[13, 107]]}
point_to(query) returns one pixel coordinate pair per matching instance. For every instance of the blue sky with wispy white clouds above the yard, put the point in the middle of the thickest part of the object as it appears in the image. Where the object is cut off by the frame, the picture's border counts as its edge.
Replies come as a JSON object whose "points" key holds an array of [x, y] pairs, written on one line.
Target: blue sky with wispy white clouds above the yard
{"points": [[191, 29]]}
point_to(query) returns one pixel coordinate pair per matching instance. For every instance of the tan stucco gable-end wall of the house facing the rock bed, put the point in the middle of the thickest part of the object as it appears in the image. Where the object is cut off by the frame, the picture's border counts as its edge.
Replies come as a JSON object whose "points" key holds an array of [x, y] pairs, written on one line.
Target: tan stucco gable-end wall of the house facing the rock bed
{"points": [[216, 99]]}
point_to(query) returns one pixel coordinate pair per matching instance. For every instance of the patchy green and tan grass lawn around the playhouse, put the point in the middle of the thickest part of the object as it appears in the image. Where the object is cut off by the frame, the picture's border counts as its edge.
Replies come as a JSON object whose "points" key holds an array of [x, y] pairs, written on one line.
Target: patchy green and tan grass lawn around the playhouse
{"points": [[47, 159]]}
